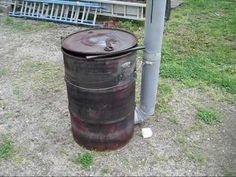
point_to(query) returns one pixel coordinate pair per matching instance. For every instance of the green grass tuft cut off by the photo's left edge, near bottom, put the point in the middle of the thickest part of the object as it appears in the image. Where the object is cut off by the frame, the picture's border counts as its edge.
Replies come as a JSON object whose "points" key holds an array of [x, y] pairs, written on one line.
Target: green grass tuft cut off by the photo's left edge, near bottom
{"points": [[6, 146]]}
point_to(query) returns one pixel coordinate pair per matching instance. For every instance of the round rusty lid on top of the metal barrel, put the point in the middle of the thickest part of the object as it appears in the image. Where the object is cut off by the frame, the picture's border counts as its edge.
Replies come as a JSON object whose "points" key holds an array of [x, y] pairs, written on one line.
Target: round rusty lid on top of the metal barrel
{"points": [[99, 41]]}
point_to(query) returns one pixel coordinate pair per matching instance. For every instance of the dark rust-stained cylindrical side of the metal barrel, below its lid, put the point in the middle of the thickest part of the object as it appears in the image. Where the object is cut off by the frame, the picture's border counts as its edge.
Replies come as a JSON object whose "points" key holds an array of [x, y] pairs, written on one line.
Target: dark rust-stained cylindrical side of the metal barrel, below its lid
{"points": [[101, 96]]}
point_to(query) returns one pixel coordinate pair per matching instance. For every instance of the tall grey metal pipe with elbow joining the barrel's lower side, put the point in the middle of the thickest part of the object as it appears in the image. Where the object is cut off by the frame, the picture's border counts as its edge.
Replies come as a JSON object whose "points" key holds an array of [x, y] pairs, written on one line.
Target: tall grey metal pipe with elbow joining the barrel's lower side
{"points": [[154, 28]]}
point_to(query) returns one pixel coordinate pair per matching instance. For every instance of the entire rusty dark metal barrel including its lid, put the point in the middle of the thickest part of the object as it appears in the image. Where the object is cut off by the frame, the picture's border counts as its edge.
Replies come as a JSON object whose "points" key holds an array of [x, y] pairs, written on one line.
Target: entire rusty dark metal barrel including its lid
{"points": [[100, 77]]}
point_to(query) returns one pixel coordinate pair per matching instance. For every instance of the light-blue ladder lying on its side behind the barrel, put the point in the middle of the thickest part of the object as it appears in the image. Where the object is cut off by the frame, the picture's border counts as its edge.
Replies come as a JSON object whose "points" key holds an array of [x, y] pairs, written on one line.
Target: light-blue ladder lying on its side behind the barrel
{"points": [[73, 12]]}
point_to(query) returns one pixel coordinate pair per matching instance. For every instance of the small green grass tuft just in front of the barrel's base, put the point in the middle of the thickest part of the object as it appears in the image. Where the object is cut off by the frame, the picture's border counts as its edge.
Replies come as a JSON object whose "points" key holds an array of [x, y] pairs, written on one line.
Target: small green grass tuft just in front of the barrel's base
{"points": [[85, 160]]}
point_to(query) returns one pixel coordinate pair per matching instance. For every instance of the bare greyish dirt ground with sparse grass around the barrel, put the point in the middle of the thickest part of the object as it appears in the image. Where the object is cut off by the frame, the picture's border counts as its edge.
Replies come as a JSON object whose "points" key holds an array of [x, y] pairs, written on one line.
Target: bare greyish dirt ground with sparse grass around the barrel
{"points": [[33, 110]]}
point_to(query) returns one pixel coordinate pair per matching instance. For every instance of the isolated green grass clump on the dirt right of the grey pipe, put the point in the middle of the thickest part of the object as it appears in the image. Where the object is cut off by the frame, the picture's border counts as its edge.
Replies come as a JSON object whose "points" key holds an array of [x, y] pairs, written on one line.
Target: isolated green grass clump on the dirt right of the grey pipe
{"points": [[208, 116]]}
